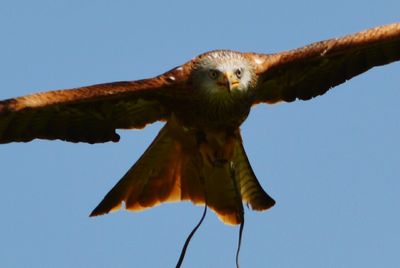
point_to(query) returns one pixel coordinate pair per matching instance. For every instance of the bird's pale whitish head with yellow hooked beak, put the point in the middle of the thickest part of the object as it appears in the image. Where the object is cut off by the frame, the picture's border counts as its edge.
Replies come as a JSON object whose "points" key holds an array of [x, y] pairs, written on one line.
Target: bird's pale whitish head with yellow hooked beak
{"points": [[223, 73]]}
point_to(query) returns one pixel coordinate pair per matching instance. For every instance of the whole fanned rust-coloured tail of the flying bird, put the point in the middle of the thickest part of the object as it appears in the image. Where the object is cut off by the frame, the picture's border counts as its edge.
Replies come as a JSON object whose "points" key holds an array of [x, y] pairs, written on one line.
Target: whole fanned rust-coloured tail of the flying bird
{"points": [[172, 169]]}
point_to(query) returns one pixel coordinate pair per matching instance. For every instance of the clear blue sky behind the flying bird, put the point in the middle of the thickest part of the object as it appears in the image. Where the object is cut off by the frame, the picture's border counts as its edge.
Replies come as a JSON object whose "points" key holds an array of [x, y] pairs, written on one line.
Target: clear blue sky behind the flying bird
{"points": [[332, 163]]}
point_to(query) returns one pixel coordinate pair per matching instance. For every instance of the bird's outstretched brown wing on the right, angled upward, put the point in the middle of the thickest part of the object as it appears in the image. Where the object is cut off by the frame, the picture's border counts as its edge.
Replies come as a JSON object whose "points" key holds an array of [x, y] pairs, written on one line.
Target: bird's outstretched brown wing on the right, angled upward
{"points": [[312, 70]]}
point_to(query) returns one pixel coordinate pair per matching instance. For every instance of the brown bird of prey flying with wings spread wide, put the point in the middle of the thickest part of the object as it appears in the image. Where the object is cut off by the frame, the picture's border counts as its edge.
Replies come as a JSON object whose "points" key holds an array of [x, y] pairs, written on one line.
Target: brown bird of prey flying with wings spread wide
{"points": [[198, 155]]}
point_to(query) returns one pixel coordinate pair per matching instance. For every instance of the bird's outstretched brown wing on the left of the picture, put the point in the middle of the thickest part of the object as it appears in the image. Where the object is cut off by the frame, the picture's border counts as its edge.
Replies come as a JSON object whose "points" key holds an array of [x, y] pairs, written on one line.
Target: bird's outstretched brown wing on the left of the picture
{"points": [[88, 114]]}
